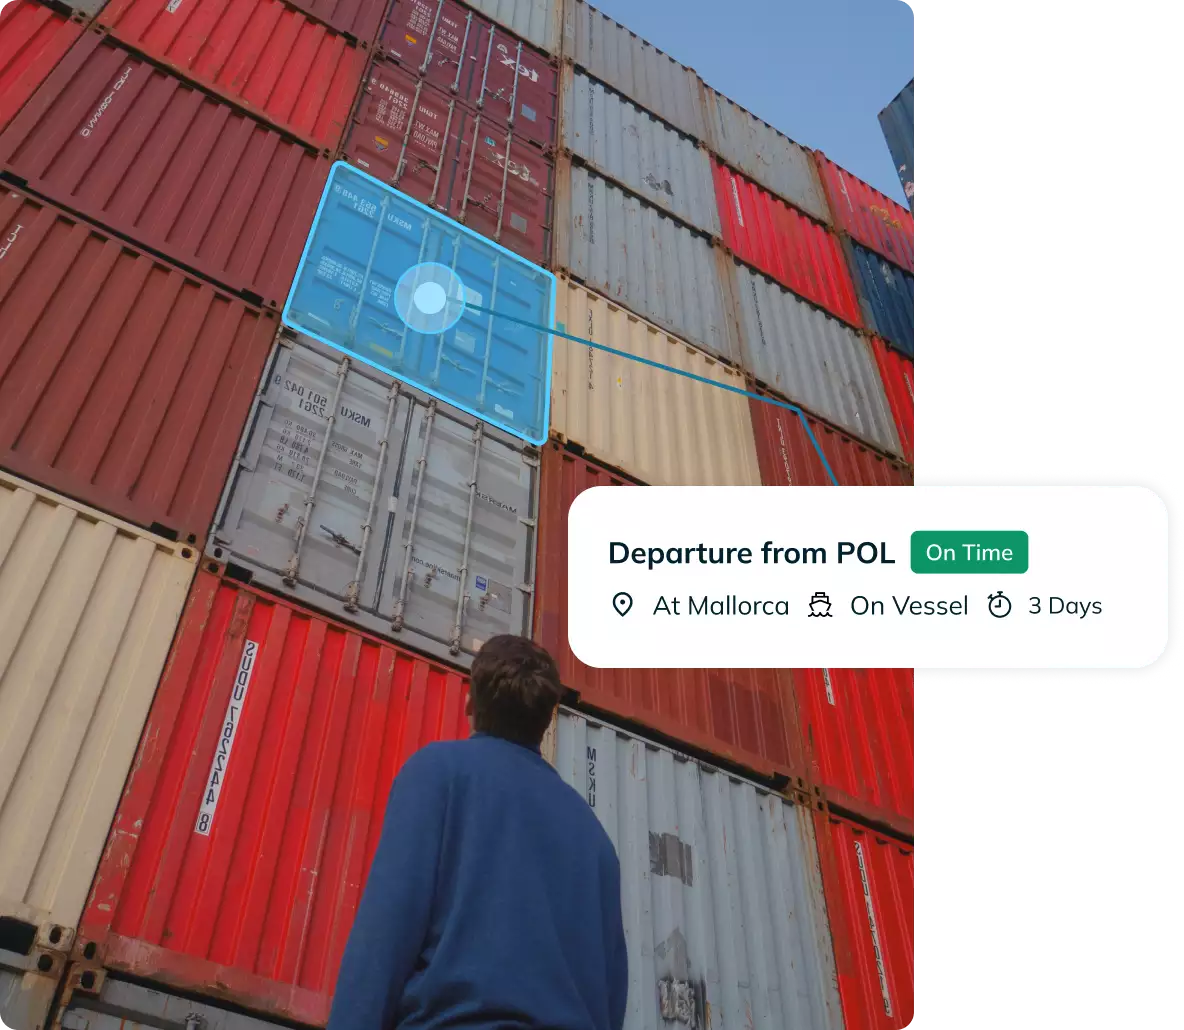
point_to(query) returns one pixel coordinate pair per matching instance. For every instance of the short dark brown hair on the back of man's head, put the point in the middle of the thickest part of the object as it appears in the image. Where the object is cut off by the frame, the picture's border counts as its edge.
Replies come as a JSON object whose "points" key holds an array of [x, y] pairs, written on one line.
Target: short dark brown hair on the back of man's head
{"points": [[516, 688]]}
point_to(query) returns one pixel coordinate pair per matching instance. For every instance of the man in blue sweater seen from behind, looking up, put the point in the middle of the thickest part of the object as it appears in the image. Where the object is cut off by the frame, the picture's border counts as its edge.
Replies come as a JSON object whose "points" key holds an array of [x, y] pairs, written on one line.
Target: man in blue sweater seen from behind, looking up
{"points": [[494, 900]]}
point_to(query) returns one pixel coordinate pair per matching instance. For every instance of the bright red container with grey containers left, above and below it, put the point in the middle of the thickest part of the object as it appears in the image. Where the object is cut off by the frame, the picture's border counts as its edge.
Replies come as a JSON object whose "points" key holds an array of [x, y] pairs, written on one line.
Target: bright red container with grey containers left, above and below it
{"points": [[803, 255]]}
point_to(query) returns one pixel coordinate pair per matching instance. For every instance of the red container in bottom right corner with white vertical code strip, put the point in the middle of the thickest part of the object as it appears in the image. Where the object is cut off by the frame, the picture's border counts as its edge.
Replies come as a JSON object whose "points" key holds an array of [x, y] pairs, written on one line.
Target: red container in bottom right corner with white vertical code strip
{"points": [[868, 878]]}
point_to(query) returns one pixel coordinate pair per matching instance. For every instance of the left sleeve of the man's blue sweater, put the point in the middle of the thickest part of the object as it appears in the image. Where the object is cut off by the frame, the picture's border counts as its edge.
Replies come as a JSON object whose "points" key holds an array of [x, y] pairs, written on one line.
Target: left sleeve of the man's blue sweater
{"points": [[395, 913]]}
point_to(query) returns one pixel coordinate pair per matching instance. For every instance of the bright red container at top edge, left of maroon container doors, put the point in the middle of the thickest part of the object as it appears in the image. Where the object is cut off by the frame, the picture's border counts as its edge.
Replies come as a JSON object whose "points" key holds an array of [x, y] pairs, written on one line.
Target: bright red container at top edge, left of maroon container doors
{"points": [[265, 55]]}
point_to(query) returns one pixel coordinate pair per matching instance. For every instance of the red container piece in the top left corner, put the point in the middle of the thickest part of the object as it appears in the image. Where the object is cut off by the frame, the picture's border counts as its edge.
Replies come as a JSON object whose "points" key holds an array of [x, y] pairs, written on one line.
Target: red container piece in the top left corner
{"points": [[34, 40]]}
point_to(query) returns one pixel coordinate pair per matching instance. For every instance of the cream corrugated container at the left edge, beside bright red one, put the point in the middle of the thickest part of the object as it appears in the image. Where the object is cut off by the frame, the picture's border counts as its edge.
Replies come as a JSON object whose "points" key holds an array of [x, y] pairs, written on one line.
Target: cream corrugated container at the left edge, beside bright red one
{"points": [[88, 608]]}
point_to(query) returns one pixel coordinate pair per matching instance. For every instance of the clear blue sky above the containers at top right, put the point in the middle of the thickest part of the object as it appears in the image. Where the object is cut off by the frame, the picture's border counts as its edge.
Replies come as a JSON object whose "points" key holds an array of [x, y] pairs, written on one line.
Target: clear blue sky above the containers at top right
{"points": [[819, 70]]}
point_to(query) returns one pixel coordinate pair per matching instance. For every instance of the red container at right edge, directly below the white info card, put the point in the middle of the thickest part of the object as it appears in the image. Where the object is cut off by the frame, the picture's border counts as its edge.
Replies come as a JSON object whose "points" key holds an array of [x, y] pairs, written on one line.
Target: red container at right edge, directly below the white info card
{"points": [[858, 725]]}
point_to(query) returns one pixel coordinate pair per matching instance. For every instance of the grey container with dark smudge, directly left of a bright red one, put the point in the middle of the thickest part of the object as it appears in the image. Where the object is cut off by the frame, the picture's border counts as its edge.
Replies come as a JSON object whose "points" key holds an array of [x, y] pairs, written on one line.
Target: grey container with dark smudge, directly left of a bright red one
{"points": [[636, 150]]}
